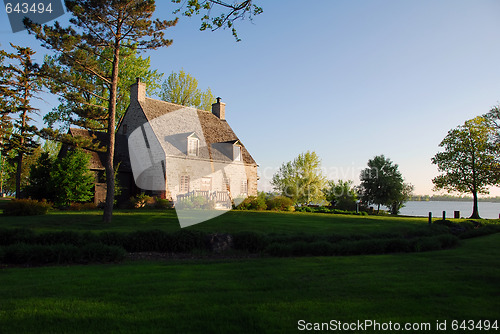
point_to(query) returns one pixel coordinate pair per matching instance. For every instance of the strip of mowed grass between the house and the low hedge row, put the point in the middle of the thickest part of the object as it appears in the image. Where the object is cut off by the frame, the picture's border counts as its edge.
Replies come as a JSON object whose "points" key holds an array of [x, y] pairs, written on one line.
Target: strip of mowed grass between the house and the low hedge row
{"points": [[233, 221]]}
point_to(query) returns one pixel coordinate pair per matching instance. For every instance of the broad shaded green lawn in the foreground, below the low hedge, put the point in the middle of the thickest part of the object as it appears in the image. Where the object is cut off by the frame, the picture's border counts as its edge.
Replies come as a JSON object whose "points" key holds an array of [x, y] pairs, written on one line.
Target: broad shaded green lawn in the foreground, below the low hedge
{"points": [[266, 295]]}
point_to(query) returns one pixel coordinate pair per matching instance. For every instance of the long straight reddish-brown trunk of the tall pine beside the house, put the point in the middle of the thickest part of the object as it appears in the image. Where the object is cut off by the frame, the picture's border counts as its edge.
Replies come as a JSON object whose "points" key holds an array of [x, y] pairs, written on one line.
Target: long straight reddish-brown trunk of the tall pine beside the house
{"points": [[110, 172]]}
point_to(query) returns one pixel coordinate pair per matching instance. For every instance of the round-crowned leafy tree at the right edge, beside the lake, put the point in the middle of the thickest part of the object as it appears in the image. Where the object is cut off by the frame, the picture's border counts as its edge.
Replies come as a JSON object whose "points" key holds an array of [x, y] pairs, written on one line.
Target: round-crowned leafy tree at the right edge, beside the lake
{"points": [[468, 162]]}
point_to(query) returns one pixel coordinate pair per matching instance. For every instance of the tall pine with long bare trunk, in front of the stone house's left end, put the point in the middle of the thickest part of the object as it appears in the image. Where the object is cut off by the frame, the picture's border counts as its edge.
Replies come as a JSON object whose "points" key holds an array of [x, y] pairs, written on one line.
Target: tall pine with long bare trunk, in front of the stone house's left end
{"points": [[100, 28]]}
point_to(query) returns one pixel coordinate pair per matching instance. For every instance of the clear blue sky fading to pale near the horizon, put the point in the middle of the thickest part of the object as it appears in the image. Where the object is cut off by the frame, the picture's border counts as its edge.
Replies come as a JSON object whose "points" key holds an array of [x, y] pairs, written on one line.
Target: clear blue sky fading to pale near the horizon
{"points": [[347, 79]]}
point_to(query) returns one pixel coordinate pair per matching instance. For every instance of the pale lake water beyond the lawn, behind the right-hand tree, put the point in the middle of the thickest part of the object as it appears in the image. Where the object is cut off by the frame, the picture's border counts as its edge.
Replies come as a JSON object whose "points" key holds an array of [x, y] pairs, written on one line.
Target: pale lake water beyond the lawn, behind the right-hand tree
{"points": [[422, 208]]}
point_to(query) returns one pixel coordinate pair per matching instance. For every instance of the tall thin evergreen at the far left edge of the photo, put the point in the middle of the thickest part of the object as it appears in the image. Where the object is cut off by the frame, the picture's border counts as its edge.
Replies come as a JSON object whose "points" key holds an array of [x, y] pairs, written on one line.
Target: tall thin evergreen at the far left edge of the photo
{"points": [[20, 84]]}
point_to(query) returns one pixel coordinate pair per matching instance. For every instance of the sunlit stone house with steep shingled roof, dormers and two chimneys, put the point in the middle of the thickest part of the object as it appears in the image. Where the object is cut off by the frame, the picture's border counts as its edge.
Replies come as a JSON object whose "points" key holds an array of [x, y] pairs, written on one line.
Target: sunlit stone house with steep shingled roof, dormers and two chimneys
{"points": [[174, 152]]}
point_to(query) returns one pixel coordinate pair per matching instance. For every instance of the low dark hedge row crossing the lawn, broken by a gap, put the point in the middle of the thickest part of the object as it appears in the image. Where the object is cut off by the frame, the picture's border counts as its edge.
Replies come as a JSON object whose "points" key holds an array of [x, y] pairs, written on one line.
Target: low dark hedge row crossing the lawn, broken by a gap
{"points": [[24, 246]]}
